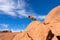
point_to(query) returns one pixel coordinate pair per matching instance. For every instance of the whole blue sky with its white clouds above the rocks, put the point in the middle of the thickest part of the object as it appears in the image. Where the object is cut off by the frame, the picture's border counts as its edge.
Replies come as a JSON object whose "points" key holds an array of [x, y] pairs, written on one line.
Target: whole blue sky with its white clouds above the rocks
{"points": [[14, 13]]}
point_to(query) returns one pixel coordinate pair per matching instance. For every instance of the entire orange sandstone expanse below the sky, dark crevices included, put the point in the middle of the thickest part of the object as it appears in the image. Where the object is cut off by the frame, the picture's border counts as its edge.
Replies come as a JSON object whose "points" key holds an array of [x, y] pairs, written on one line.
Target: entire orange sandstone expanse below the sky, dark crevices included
{"points": [[47, 30]]}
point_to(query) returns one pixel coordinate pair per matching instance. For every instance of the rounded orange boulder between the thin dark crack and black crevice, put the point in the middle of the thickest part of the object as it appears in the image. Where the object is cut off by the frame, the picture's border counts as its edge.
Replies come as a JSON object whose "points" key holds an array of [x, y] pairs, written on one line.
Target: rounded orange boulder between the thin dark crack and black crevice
{"points": [[37, 29]]}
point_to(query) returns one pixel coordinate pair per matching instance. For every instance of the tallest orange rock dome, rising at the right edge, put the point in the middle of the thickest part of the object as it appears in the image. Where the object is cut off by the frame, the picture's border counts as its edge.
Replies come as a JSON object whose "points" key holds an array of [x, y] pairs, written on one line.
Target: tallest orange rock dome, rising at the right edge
{"points": [[53, 21]]}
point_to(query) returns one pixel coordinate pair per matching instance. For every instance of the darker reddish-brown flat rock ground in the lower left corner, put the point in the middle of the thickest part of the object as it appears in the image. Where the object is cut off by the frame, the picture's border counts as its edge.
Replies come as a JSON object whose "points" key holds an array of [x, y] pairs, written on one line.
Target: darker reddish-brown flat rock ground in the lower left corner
{"points": [[7, 35]]}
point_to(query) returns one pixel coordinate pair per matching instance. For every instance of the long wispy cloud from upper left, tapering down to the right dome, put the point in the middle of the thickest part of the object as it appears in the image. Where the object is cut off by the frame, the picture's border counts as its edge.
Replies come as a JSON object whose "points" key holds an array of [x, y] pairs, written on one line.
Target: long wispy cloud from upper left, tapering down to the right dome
{"points": [[18, 9]]}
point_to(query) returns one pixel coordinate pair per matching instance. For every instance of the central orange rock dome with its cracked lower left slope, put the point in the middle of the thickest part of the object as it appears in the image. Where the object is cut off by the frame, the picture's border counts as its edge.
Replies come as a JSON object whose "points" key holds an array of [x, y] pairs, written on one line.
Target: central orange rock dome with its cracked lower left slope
{"points": [[33, 32]]}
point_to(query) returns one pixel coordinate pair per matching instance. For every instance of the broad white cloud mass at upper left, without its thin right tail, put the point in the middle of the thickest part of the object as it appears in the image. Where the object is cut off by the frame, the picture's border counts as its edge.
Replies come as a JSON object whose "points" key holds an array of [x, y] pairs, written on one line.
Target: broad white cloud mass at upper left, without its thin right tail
{"points": [[8, 6]]}
